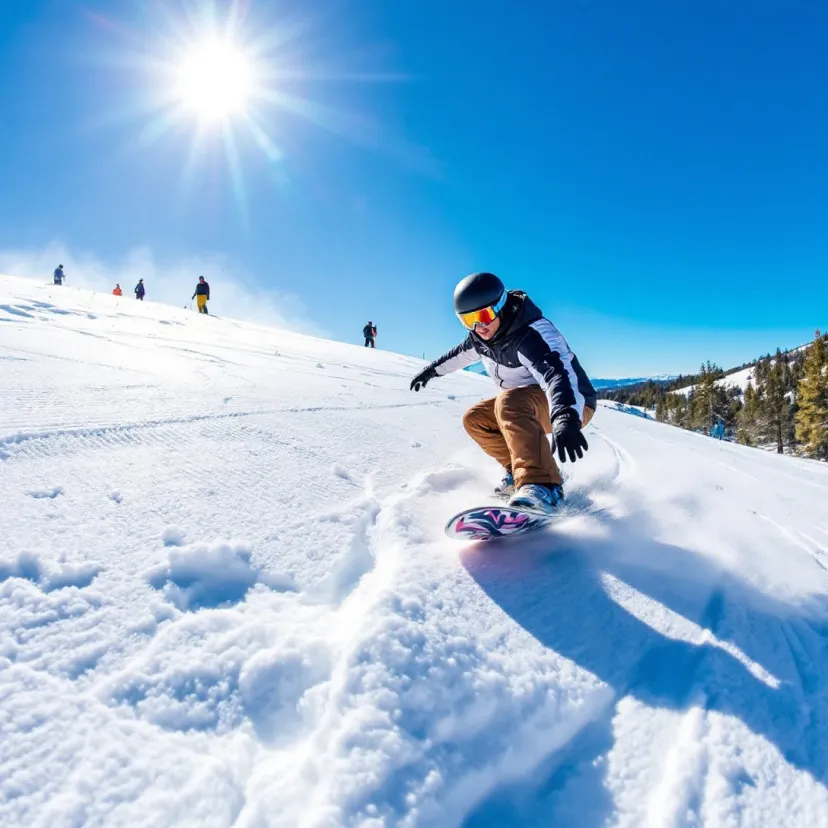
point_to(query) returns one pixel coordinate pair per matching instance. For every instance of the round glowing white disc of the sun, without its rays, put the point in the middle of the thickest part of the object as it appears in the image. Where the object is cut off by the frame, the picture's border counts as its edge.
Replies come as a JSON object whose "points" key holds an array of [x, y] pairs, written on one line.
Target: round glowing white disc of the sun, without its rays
{"points": [[215, 80]]}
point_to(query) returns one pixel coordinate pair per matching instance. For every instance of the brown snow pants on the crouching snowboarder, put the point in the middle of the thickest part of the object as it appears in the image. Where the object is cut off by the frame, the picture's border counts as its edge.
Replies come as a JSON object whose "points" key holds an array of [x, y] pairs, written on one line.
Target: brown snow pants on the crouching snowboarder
{"points": [[513, 428]]}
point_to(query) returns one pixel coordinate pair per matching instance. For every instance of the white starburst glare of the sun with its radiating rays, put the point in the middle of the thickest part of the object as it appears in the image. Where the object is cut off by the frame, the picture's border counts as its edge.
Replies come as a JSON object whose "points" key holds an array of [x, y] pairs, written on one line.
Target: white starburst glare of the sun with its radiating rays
{"points": [[228, 83]]}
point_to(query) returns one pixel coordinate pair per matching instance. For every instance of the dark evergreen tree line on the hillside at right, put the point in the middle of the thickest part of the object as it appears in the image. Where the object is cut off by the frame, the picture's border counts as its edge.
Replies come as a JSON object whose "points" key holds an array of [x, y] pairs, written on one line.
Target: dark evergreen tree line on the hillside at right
{"points": [[784, 406]]}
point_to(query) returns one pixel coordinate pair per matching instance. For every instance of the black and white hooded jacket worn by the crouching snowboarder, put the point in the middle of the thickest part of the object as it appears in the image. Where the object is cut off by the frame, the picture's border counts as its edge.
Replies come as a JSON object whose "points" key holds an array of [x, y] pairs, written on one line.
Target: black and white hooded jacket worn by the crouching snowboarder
{"points": [[527, 350]]}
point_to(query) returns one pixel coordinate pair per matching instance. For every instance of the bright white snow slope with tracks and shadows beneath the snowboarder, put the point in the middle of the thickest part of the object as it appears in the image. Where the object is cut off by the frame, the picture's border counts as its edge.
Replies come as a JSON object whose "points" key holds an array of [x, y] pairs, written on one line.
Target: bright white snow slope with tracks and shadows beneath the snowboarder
{"points": [[226, 598]]}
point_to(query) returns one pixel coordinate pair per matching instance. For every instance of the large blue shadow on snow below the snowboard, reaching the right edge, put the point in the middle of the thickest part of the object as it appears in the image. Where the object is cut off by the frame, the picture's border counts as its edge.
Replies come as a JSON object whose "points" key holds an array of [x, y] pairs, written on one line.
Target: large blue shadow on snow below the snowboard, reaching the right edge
{"points": [[555, 587]]}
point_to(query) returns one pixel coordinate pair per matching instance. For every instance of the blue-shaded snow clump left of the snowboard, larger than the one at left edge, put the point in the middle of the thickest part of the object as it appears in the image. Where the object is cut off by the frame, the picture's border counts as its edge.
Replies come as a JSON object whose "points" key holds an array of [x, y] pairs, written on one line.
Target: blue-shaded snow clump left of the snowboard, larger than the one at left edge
{"points": [[210, 575]]}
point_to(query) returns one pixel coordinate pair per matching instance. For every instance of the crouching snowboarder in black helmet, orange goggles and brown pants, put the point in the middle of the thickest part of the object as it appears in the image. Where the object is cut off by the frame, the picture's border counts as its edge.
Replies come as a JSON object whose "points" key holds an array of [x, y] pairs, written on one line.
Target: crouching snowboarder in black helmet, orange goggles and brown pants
{"points": [[544, 389]]}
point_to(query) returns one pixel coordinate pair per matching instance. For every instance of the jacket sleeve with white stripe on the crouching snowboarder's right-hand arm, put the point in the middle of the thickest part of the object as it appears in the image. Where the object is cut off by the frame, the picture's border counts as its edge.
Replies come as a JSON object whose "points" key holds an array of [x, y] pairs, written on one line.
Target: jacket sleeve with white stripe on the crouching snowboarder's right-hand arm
{"points": [[546, 355]]}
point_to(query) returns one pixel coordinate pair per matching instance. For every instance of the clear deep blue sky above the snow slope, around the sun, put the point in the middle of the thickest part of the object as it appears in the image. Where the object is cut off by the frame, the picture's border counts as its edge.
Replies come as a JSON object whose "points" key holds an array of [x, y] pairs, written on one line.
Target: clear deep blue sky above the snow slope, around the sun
{"points": [[653, 174]]}
